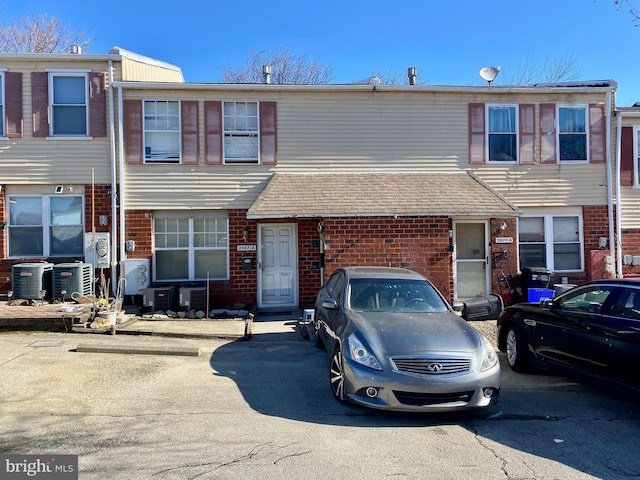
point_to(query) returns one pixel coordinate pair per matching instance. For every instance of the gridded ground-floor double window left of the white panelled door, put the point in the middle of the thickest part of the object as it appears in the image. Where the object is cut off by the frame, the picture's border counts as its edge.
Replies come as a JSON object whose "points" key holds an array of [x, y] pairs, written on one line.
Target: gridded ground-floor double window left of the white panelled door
{"points": [[192, 246]]}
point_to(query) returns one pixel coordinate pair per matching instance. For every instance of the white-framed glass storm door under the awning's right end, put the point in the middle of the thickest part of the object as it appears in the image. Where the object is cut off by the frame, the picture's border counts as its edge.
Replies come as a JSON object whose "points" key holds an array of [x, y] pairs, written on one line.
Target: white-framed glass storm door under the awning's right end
{"points": [[471, 268]]}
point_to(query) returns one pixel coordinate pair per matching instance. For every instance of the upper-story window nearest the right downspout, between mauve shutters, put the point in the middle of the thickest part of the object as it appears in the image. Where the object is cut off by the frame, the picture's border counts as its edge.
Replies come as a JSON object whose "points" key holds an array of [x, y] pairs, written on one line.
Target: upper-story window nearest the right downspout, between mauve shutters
{"points": [[572, 133]]}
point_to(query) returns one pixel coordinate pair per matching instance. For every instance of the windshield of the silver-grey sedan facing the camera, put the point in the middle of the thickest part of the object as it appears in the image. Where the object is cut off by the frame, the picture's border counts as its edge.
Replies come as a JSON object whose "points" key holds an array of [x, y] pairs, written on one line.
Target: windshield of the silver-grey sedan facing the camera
{"points": [[391, 295]]}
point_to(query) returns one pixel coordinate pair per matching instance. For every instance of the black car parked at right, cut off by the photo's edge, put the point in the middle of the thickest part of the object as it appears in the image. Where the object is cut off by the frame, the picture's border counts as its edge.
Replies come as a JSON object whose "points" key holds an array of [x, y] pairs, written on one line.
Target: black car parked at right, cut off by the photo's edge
{"points": [[592, 329]]}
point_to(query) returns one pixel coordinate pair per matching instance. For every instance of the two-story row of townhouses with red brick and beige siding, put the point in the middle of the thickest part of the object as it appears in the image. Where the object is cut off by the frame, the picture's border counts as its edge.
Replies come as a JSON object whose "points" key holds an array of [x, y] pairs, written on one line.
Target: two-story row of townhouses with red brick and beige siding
{"points": [[259, 191]]}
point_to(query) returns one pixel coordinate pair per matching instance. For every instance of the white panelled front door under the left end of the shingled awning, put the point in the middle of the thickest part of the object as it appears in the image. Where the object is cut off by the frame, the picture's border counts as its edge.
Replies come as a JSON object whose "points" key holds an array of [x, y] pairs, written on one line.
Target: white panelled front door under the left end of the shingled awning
{"points": [[277, 265]]}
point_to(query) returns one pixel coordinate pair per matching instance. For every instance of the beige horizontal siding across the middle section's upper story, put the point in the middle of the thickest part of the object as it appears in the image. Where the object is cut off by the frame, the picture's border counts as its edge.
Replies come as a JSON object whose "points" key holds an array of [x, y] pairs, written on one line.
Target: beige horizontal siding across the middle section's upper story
{"points": [[347, 132]]}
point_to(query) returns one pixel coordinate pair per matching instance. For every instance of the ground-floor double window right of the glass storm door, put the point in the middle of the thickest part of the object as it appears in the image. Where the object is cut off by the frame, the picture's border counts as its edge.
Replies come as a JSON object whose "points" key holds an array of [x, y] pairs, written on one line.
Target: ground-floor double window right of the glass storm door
{"points": [[554, 242]]}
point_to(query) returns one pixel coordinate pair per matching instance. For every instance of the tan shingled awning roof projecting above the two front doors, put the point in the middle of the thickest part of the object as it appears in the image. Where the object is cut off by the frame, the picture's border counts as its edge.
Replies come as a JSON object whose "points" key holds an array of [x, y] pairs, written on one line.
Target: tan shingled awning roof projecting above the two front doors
{"points": [[374, 194]]}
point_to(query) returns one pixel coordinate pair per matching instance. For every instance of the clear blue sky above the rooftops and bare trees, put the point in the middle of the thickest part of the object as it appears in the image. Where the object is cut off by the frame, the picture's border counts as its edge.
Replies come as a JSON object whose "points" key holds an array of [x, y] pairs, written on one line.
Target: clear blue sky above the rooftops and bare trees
{"points": [[447, 41]]}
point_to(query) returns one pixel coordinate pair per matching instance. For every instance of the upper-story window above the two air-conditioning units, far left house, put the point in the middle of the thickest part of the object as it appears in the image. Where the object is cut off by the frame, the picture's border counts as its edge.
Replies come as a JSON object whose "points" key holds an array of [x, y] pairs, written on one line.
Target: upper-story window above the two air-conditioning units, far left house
{"points": [[69, 93]]}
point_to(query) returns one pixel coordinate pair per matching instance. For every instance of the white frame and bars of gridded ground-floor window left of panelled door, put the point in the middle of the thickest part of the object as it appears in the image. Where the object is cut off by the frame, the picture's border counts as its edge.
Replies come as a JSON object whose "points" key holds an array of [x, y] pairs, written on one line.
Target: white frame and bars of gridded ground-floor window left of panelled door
{"points": [[190, 248]]}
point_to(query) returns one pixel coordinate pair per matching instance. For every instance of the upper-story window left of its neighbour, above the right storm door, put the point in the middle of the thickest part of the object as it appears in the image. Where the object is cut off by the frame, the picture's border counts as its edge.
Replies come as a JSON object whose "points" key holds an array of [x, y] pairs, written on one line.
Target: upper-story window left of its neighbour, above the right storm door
{"points": [[502, 133]]}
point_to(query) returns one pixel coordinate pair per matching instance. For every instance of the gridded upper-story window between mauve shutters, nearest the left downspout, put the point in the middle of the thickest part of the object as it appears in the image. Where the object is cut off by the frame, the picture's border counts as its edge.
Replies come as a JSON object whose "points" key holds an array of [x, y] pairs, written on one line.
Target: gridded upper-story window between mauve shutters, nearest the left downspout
{"points": [[162, 131]]}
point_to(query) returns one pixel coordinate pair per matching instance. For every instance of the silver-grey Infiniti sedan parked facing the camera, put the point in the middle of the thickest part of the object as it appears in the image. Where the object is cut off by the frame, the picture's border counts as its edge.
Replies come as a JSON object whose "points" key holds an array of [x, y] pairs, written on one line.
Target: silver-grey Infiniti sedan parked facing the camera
{"points": [[396, 344]]}
